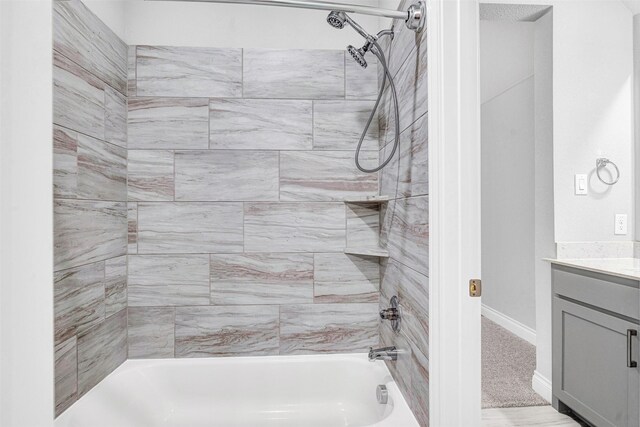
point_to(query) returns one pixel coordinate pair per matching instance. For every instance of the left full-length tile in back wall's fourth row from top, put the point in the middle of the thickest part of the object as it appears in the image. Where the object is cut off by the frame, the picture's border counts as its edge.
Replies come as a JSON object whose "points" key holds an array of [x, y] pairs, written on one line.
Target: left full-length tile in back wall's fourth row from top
{"points": [[189, 227]]}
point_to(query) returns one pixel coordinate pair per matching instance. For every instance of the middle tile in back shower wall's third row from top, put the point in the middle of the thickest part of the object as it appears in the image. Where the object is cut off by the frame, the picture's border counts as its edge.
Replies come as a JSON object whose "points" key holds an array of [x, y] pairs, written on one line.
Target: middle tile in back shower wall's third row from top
{"points": [[226, 175]]}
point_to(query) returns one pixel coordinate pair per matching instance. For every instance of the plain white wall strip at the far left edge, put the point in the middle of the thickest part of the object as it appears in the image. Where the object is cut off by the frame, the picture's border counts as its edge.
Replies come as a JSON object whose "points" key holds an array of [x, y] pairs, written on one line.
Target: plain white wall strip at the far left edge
{"points": [[26, 225]]}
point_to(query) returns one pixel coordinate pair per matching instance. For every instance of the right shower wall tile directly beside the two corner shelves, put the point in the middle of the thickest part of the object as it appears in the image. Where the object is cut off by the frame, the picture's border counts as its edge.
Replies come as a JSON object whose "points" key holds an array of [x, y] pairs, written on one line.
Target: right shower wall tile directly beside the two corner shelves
{"points": [[405, 232]]}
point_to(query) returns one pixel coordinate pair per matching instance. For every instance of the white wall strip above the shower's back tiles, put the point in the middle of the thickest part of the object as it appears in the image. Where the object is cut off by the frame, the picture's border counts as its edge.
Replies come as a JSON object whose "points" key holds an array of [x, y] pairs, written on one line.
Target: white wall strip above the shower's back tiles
{"points": [[180, 23]]}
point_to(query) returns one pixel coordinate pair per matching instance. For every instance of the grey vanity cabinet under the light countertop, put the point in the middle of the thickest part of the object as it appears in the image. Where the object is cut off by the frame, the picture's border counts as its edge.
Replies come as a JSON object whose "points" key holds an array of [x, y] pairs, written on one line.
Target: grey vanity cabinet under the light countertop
{"points": [[595, 319]]}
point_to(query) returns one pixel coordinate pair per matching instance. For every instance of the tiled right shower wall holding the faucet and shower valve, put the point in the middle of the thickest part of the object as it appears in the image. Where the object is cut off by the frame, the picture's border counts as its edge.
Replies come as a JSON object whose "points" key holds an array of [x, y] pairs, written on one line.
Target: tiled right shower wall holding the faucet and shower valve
{"points": [[405, 227]]}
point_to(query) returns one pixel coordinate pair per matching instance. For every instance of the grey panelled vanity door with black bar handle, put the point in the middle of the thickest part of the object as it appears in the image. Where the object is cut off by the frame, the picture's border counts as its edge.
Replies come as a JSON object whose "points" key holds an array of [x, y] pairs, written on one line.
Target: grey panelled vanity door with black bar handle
{"points": [[590, 372]]}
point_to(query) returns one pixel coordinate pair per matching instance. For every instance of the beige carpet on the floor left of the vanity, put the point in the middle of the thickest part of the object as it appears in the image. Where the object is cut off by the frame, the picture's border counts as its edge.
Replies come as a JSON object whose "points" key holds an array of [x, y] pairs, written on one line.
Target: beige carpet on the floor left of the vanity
{"points": [[508, 363]]}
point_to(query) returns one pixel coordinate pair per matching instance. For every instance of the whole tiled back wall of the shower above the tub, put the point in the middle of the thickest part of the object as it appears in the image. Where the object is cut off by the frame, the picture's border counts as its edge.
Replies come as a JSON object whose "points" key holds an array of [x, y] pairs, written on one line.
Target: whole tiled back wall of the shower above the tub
{"points": [[239, 162]]}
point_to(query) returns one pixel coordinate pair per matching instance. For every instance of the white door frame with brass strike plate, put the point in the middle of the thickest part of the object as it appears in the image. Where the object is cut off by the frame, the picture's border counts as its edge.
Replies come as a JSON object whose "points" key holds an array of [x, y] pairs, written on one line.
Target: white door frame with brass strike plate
{"points": [[454, 212]]}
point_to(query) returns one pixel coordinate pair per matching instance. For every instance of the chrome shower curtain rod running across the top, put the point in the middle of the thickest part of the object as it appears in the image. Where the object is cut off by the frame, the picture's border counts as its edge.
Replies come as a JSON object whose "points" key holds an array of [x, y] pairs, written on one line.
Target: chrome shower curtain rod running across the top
{"points": [[318, 5]]}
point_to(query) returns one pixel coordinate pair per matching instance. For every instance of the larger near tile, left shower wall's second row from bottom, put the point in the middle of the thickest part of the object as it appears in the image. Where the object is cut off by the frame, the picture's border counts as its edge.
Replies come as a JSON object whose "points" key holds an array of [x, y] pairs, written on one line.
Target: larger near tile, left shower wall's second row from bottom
{"points": [[78, 300]]}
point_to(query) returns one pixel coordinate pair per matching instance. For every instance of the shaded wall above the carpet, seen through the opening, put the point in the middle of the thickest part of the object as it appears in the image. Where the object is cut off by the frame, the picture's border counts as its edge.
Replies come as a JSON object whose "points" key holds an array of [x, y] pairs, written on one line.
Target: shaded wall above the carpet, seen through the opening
{"points": [[508, 169]]}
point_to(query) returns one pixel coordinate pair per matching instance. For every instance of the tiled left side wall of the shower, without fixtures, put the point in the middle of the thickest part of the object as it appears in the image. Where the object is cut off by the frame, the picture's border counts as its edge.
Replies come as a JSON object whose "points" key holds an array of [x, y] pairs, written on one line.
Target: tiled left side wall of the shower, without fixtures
{"points": [[90, 193]]}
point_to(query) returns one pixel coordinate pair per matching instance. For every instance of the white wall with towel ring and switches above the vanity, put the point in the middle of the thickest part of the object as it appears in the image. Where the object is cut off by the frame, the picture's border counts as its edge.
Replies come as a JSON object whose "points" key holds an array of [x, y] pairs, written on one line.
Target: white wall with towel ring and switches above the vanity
{"points": [[592, 59]]}
